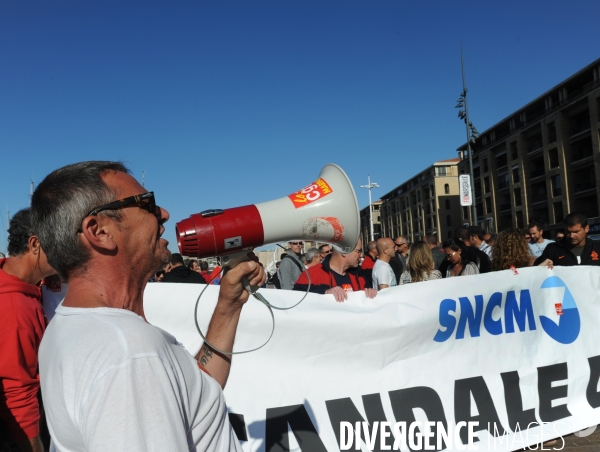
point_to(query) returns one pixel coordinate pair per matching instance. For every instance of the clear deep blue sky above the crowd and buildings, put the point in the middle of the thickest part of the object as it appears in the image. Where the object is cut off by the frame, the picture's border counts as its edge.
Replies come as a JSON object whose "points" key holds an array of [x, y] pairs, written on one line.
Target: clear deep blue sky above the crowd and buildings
{"points": [[231, 103]]}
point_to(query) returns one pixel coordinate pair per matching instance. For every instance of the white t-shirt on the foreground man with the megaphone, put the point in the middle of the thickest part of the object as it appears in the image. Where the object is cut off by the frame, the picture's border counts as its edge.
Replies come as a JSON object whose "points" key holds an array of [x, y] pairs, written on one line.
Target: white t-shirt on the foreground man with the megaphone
{"points": [[112, 382]]}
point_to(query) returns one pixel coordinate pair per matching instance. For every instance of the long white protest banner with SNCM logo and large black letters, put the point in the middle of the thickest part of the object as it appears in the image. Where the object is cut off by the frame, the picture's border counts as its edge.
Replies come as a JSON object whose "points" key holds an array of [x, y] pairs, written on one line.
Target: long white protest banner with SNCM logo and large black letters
{"points": [[506, 351]]}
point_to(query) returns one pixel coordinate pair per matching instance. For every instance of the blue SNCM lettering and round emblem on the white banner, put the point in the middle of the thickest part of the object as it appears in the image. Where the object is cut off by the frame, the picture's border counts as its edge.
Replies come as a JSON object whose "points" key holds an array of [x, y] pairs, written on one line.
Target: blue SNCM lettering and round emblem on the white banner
{"points": [[510, 312]]}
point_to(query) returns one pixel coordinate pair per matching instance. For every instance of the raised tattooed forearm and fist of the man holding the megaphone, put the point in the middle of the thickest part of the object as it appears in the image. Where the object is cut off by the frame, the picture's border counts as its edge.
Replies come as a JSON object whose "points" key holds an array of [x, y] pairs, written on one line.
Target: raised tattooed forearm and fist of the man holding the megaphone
{"points": [[223, 324]]}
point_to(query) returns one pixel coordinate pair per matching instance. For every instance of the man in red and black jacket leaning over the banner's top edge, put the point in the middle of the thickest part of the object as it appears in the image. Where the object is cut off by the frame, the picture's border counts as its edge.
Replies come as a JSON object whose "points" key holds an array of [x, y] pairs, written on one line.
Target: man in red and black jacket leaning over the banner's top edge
{"points": [[338, 274]]}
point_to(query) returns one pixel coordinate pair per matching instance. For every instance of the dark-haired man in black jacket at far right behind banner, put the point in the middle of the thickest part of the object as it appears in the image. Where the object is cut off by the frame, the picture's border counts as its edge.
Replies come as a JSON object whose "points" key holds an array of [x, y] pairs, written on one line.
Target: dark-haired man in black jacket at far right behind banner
{"points": [[575, 248]]}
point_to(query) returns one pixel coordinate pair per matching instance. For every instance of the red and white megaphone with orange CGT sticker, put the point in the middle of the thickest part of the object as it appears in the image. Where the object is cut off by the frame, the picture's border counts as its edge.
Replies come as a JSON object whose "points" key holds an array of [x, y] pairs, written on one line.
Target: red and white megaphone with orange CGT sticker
{"points": [[324, 211]]}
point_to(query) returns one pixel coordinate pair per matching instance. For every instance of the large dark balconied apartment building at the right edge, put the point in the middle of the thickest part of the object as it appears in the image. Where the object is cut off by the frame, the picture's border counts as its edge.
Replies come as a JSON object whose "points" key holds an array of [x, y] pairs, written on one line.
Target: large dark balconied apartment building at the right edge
{"points": [[541, 162]]}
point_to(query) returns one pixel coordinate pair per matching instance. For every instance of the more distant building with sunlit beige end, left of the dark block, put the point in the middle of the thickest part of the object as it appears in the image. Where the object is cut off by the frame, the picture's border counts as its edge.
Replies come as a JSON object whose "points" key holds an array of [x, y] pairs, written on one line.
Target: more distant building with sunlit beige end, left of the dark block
{"points": [[426, 204]]}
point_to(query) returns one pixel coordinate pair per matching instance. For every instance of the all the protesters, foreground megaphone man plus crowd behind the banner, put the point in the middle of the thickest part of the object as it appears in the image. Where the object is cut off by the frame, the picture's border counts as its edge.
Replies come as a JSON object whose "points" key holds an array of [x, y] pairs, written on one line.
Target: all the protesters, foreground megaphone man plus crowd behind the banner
{"points": [[103, 372]]}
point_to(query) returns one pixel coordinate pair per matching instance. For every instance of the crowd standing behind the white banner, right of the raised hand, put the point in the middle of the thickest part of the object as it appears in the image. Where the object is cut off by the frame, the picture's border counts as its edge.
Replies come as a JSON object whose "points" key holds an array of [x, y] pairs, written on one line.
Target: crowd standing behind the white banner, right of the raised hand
{"points": [[390, 262]]}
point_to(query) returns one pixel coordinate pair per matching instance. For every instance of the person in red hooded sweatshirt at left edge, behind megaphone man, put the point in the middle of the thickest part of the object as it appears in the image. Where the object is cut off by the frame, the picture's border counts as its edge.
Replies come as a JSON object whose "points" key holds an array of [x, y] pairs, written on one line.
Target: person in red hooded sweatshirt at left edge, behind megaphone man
{"points": [[22, 325]]}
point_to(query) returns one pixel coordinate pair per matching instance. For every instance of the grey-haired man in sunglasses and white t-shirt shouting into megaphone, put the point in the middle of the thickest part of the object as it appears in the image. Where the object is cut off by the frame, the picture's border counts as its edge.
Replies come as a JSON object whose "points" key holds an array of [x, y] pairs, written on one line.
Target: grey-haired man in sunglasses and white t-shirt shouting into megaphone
{"points": [[110, 380]]}
